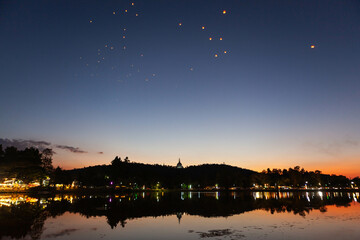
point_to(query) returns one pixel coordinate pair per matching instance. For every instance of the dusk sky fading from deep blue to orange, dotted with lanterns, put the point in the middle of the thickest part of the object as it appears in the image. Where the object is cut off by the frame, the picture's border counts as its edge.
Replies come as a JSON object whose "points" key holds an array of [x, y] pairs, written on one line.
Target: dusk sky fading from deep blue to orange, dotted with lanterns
{"points": [[250, 83]]}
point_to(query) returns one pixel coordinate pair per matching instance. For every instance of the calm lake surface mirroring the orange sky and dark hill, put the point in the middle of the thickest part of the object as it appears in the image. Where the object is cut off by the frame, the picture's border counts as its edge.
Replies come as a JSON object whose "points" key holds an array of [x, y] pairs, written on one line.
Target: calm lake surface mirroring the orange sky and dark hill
{"points": [[187, 215]]}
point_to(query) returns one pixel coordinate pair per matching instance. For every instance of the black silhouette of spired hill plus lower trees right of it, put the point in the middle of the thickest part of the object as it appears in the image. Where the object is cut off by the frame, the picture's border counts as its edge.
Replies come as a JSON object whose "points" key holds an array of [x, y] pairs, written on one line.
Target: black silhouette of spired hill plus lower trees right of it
{"points": [[136, 175]]}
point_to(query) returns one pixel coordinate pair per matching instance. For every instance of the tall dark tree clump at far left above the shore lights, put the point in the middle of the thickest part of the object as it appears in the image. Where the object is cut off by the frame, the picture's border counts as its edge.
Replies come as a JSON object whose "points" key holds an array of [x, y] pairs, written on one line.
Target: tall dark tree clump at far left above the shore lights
{"points": [[27, 165]]}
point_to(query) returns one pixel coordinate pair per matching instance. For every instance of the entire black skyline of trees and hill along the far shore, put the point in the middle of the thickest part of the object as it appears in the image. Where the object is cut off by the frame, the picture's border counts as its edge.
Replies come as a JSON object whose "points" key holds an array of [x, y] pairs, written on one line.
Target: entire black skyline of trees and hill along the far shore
{"points": [[31, 164]]}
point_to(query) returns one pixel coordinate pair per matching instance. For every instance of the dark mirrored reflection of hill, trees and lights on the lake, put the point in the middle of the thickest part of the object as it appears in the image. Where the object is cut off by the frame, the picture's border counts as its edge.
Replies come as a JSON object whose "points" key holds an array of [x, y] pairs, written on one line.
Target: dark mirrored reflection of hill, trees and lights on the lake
{"points": [[24, 216]]}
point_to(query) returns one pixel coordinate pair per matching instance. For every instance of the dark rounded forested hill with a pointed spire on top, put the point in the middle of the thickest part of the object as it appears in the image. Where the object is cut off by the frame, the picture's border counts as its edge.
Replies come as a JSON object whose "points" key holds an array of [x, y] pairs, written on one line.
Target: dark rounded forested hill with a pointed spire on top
{"points": [[160, 176]]}
